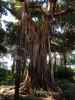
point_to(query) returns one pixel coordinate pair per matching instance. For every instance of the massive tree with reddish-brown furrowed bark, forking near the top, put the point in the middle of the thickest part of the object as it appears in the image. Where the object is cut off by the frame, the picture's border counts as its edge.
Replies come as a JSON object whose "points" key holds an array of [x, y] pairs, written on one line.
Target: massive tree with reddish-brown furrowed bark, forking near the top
{"points": [[34, 43]]}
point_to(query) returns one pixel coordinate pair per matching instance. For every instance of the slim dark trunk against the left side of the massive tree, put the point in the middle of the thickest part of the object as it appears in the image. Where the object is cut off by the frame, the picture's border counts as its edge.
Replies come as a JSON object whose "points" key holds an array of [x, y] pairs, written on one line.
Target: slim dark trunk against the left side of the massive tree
{"points": [[18, 65]]}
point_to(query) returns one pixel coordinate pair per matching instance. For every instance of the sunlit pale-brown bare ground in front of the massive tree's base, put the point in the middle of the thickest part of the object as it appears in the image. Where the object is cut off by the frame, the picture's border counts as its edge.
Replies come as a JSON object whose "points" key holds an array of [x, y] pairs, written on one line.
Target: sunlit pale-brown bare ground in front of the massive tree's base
{"points": [[7, 93]]}
